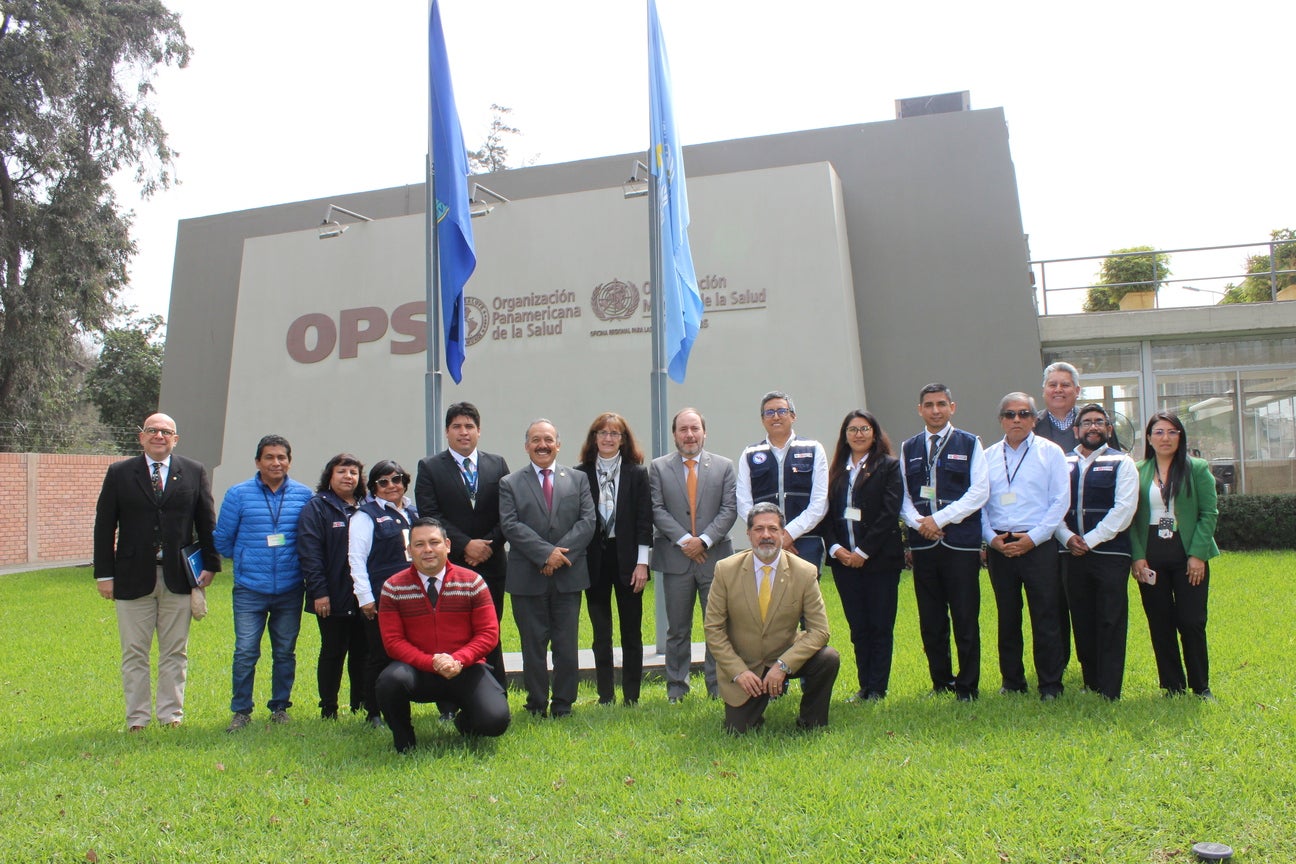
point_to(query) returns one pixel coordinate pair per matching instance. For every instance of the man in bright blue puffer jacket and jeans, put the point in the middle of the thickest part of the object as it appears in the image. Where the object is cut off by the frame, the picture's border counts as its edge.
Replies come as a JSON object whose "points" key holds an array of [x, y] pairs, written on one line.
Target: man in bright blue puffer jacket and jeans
{"points": [[259, 529]]}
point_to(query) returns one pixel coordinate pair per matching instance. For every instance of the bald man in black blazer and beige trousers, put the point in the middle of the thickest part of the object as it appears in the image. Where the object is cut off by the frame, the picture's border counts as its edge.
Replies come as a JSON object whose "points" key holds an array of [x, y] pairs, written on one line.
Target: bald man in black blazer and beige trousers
{"points": [[150, 508]]}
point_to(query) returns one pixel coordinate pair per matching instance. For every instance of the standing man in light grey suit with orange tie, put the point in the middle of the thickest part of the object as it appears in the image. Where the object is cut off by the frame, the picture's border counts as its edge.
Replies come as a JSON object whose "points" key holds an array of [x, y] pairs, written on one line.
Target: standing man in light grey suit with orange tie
{"points": [[694, 507]]}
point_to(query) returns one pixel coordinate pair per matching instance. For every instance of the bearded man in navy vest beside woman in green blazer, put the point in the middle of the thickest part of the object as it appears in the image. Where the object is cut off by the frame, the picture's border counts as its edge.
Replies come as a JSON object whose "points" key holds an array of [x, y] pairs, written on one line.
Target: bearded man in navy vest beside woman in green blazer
{"points": [[1097, 551]]}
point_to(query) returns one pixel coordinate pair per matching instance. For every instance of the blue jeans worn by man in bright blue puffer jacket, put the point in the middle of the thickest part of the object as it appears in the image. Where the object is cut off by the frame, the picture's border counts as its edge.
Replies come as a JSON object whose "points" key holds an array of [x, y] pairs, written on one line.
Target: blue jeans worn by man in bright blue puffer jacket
{"points": [[252, 613]]}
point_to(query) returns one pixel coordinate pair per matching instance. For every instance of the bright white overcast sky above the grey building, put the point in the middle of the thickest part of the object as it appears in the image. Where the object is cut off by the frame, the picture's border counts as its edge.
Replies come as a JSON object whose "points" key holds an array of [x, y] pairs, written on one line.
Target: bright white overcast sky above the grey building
{"points": [[1131, 124]]}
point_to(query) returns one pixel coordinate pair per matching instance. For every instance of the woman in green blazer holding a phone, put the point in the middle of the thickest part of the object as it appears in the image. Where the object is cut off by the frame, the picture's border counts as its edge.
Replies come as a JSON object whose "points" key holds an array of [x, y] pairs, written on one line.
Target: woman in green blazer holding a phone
{"points": [[1172, 540]]}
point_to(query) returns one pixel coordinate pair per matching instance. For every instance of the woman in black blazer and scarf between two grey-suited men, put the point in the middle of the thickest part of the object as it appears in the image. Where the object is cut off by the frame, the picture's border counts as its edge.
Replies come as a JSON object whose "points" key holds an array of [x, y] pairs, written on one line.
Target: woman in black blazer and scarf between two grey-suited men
{"points": [[619, 552]]}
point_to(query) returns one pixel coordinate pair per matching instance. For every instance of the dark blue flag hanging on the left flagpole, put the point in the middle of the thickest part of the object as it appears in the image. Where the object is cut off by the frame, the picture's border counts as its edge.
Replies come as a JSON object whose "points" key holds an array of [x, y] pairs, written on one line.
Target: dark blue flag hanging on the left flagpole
{"points": [[456, 256]]}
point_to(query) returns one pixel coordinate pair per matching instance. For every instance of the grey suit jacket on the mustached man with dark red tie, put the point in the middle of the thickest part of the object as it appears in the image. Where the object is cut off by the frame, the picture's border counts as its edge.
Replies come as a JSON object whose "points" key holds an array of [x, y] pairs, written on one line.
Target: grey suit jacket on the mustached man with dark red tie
{"points": [[533, 530]]}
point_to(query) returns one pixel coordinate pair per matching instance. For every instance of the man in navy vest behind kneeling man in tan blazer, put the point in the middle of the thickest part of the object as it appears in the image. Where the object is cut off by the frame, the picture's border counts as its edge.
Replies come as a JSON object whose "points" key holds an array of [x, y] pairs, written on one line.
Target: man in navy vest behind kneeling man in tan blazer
{"points": [[789, 472]]}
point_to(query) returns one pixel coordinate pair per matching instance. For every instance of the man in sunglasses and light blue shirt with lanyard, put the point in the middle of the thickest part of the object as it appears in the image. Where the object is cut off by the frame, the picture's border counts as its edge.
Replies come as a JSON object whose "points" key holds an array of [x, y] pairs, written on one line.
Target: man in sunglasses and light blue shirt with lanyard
{"points": [[1030, 492]]}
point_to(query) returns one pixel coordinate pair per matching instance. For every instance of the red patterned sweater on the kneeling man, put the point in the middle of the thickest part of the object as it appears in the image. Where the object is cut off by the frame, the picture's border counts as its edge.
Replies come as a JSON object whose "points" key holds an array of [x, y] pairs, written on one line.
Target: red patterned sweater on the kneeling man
{"points": [[463, 625]]}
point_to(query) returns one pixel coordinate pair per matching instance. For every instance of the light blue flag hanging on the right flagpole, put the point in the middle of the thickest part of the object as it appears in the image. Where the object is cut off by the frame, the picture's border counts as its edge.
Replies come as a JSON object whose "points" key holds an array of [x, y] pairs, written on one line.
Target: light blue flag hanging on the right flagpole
{"points": [[684, 304]]}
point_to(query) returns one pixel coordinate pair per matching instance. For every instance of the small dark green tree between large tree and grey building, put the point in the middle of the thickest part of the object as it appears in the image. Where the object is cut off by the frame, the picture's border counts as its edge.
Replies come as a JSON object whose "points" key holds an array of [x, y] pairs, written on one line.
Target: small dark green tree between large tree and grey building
{"points": [[128, 381]]}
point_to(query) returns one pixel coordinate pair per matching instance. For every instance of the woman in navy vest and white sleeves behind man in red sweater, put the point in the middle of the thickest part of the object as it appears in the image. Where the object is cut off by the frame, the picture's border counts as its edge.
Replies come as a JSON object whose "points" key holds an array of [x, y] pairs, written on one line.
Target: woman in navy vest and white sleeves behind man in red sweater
{"points": [[379, 537]]}
